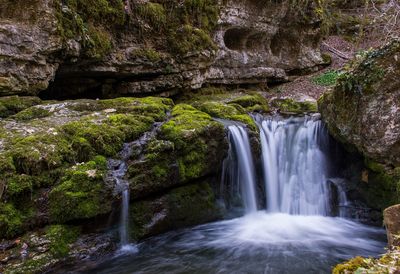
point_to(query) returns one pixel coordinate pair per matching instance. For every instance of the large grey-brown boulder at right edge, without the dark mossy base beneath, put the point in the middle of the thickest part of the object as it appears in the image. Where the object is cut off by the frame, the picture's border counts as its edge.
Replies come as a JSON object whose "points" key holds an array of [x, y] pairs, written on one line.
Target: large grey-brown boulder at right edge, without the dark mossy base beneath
{"points": [[363, 108]]}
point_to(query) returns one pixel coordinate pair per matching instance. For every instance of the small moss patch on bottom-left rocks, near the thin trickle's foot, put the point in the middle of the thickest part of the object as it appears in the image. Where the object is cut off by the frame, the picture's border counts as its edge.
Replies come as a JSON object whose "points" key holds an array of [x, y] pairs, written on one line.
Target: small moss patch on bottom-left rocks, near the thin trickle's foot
{"points": [[60, 237]]}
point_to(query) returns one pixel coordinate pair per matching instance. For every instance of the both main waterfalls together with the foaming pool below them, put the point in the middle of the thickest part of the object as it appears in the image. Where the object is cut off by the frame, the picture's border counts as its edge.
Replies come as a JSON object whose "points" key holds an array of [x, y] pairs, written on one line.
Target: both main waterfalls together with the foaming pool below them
{"points": [[296, 233]]}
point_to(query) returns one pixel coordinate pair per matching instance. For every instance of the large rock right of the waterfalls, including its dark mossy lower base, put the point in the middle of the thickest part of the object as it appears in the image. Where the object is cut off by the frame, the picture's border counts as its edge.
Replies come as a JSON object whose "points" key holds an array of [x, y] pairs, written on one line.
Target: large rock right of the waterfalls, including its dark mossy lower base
{"points": [[362, 112]]}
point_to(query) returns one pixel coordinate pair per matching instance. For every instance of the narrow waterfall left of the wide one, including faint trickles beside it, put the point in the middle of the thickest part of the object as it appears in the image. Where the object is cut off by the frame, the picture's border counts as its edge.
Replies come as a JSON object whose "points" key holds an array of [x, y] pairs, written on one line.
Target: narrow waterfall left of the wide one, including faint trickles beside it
{"points": [[242, 173]]}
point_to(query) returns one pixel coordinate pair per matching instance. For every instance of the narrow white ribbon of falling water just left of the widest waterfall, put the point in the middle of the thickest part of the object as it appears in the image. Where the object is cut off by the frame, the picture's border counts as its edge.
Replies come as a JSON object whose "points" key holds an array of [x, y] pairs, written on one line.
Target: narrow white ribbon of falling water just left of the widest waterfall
{"points": [[246, 172]]}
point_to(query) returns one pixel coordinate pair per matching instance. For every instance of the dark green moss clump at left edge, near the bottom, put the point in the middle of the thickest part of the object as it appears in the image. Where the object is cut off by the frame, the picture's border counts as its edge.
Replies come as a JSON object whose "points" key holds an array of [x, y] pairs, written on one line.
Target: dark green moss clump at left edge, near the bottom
{"points": [[11, 220]]}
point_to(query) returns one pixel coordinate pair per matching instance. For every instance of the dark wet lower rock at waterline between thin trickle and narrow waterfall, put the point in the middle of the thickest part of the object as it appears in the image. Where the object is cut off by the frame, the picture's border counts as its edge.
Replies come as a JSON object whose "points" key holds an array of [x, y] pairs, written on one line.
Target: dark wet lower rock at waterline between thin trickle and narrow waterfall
{"points": [[184, 206]]}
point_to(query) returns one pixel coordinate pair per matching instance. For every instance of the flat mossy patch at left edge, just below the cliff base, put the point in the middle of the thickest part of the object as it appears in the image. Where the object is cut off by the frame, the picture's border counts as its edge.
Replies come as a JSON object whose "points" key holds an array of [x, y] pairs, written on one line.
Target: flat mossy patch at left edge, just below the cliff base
{"points": [[11, 105]]}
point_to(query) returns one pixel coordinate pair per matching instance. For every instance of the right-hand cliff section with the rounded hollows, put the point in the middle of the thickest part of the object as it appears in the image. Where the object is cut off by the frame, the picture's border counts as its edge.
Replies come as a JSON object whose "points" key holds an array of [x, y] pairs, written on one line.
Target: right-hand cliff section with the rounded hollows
{"points": [[261, 42]]}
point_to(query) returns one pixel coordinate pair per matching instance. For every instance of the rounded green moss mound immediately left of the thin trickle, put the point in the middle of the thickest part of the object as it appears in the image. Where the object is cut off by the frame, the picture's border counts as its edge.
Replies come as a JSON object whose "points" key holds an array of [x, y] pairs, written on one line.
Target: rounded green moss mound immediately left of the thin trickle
{"points": [[81, 193]]}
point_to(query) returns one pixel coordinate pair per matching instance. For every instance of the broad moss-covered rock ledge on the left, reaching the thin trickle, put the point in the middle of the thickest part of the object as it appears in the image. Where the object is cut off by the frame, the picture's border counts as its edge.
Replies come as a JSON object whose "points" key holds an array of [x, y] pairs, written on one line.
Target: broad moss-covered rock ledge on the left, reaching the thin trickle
{"points": [[52, 166]]}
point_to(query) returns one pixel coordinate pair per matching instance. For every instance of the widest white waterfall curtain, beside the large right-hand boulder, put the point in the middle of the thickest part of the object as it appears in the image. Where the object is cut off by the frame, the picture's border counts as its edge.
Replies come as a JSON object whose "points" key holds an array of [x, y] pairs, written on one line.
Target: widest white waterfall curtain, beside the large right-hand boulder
{"points": [[294, 166]]}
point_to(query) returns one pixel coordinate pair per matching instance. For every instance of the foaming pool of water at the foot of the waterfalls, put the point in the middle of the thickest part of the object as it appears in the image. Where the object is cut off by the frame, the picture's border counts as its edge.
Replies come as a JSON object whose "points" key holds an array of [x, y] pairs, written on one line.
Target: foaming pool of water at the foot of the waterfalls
{"points": [[259, 242]]}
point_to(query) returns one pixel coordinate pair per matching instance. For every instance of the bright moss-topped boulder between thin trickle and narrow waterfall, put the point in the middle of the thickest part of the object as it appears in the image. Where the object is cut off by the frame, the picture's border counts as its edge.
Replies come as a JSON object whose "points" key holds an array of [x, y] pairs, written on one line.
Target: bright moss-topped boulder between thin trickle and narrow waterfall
{"points": [[189, 146]]}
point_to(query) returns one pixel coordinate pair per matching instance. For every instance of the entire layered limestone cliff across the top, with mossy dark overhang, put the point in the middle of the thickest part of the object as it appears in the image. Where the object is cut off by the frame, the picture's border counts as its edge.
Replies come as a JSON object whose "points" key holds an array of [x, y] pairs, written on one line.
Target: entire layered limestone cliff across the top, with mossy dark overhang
{"points": [[157, 47]]}
